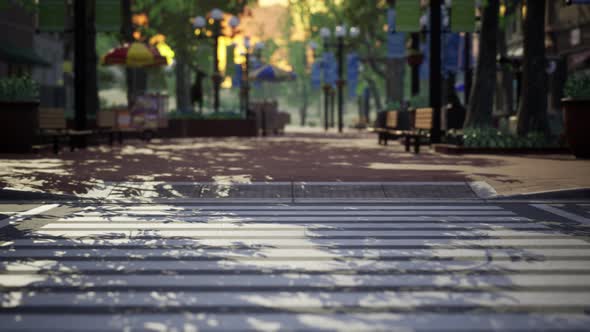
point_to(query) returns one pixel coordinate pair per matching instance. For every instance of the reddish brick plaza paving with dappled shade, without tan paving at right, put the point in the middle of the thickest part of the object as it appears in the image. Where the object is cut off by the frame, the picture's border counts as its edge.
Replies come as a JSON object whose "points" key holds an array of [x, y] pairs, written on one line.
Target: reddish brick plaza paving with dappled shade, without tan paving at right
{"points": [[258, 159]]}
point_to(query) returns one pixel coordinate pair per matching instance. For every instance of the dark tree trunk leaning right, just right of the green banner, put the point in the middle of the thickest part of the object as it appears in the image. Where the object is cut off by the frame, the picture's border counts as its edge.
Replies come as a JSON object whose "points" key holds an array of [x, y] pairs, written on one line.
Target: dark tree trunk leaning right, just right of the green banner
{"points": [[481, 106]]}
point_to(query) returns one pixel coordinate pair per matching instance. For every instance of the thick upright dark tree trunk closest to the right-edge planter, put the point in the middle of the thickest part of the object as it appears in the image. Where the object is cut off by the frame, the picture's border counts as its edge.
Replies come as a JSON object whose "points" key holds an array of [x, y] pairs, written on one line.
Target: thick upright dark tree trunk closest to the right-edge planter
{"points": [[532, 111]]}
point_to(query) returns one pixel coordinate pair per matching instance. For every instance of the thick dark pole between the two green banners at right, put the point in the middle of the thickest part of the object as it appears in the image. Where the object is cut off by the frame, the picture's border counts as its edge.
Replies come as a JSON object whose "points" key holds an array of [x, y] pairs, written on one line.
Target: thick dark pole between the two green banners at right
{"points": [[435, 68]]}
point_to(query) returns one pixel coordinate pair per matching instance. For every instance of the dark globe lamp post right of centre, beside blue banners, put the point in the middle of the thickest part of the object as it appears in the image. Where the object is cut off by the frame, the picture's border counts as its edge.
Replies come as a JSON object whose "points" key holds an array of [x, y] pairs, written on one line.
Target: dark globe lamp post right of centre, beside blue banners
{"points": [[340, 33]]}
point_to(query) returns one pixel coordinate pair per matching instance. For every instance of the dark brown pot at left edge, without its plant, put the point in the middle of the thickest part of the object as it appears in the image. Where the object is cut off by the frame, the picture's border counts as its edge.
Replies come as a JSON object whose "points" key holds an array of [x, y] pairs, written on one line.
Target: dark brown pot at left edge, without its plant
{"points": [[19, 126]]}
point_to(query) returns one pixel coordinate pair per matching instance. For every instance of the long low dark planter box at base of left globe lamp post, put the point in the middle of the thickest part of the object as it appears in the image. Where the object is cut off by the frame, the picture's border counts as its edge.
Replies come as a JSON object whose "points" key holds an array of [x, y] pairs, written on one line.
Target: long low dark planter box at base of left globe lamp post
{"points": [[209, 128]]}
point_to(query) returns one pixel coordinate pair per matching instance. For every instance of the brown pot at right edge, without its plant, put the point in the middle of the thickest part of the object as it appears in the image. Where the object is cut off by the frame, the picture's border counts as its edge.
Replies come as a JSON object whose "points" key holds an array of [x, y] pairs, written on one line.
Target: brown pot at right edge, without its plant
{"points": [[576, 119]]}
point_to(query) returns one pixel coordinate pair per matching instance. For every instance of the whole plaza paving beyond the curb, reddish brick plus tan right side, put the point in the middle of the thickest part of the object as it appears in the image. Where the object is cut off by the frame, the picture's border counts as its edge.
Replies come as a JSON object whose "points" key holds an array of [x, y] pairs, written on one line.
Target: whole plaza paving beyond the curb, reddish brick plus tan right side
{"points": [[306, 156]]}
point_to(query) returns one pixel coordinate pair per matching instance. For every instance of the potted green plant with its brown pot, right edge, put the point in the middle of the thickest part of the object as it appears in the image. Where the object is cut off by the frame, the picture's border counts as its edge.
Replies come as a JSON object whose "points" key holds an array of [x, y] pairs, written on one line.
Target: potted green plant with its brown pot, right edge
{"points": [[576, 114]]}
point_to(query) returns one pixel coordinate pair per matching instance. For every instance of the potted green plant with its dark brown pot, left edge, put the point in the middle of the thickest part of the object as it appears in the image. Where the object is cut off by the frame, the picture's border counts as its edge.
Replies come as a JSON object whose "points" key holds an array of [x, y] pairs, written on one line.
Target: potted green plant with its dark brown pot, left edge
{"points": [[19, 118]]}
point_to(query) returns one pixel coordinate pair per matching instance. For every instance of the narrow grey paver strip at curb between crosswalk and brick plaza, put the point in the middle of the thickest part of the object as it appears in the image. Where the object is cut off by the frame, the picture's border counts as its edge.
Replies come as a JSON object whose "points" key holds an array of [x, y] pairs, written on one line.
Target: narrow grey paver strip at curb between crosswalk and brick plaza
{"points": [[290, 192]]}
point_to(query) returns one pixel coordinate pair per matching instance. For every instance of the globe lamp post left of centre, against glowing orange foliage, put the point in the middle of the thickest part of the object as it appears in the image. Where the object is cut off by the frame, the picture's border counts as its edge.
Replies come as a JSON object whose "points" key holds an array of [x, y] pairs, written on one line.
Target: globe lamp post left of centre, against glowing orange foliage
{"points": [[200, 24]]}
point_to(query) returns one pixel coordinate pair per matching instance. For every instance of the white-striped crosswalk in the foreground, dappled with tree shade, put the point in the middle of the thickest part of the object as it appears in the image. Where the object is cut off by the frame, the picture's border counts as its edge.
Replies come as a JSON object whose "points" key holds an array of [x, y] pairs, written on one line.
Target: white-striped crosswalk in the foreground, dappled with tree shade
{"points": [[269, 267]]}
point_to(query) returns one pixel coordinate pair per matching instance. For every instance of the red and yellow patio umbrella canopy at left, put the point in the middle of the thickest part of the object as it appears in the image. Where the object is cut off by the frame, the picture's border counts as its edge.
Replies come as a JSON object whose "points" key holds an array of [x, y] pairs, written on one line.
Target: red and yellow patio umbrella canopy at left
{"points": [[134, 55]]}
